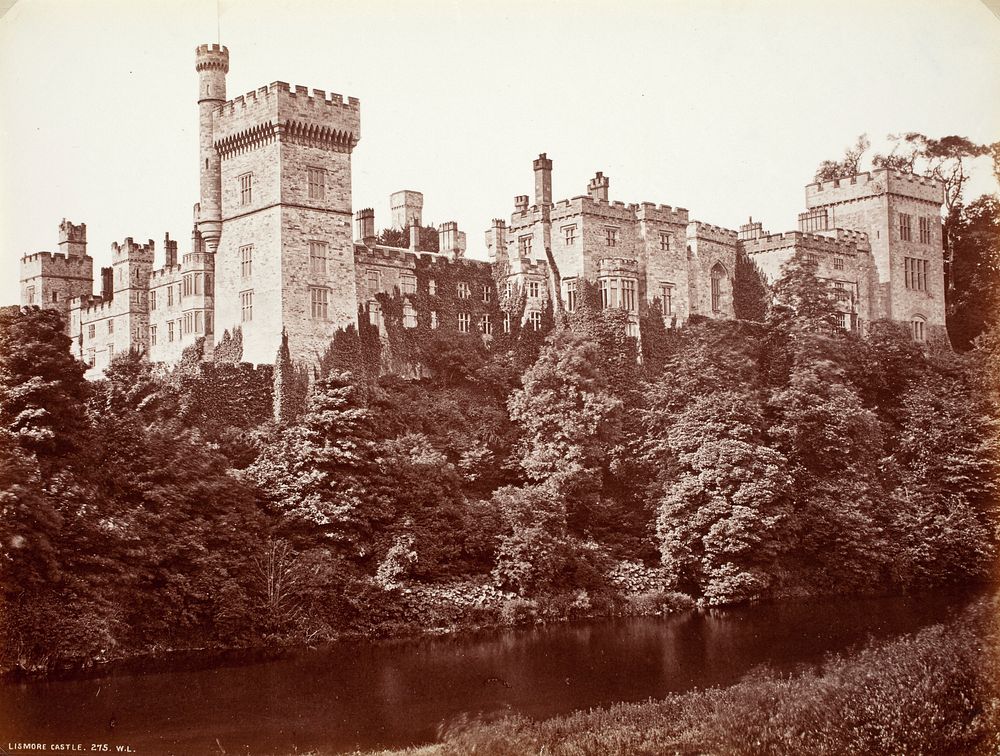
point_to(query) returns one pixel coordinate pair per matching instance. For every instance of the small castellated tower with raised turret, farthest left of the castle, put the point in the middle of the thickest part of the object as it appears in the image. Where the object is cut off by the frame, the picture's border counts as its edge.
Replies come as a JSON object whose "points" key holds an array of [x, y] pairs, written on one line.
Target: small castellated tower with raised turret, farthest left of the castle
{"points": [[52, 280]]}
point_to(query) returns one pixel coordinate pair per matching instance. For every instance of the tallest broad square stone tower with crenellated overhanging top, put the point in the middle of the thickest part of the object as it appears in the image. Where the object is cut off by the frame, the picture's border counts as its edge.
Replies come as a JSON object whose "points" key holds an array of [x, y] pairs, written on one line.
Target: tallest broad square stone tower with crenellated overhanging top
{"points": [[286, 255]]}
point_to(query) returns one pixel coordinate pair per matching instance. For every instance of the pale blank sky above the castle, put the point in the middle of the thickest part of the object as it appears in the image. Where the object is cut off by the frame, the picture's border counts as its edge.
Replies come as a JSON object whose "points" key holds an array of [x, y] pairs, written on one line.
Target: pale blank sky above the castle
{"points": [[723, 107]]}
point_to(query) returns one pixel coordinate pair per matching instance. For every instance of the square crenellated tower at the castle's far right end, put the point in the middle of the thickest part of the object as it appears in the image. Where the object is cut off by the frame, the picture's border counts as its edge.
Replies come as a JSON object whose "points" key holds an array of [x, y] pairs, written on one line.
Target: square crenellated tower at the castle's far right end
{"points": [[901, 214]]}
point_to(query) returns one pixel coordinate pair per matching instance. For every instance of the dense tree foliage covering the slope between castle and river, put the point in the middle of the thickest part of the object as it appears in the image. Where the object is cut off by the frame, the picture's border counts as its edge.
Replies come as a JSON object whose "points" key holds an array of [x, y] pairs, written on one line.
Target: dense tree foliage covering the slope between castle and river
{"points": [[741, 460]]}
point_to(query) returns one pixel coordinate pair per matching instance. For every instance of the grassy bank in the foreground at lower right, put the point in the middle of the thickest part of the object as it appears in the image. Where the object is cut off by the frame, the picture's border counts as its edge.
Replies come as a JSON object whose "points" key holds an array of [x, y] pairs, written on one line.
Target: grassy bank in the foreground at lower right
{"points": [[934, 692]]}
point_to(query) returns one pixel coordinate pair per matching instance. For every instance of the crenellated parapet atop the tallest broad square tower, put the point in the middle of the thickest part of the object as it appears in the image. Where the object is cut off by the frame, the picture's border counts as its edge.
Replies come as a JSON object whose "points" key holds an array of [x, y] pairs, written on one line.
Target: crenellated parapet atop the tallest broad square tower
{"points": [[317, 117]]}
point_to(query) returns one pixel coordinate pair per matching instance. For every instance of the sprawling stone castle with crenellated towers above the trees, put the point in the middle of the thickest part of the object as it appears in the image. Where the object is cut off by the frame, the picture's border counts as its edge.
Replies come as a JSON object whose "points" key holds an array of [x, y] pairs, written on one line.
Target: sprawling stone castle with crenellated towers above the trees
{"points": [[272, 250]]}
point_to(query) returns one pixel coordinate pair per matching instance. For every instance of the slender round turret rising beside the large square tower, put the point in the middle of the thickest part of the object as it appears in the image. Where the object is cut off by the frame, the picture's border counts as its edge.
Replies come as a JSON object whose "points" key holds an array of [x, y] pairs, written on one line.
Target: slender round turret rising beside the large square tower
{"points": [[212, 64]]}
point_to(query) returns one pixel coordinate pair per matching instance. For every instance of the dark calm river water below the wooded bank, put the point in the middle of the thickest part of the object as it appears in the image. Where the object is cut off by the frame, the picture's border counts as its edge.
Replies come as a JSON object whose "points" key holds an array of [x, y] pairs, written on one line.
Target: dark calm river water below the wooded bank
{"points": [[394, 693]]}
